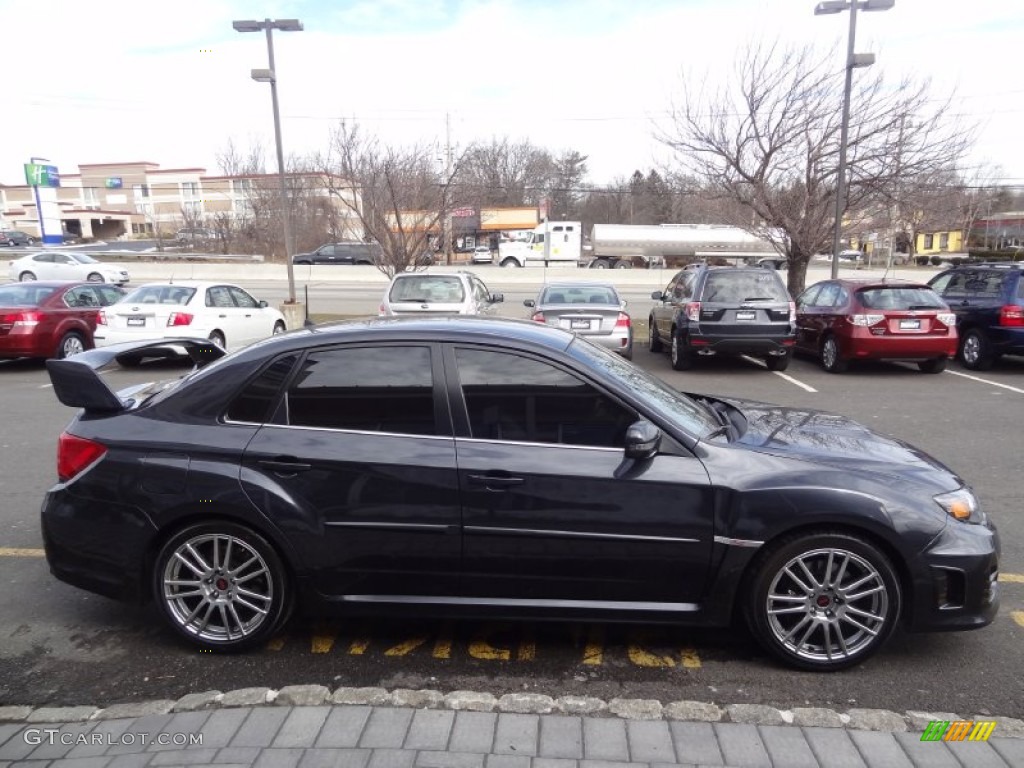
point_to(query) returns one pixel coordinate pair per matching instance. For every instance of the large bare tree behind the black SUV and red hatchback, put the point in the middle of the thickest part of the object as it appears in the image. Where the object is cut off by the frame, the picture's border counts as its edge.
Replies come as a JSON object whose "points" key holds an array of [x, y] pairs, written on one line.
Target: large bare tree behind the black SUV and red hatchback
{"points": [[770, 142]]}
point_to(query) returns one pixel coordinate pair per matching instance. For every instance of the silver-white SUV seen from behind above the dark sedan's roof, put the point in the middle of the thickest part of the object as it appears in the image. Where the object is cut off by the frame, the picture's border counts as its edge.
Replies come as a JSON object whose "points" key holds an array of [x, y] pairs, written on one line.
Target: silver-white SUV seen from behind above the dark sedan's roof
{"points": [[439, 293]]}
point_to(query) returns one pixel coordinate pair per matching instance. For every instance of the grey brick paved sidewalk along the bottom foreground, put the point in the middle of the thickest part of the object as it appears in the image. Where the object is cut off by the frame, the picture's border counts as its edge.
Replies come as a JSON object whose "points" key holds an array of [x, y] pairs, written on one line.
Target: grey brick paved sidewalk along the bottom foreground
{"points": [[388, 737]]}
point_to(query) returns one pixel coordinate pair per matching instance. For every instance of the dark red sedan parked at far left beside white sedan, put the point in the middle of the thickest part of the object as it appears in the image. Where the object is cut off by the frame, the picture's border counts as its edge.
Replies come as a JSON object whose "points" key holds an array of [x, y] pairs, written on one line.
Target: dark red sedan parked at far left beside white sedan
{"points": [[51, 319]]}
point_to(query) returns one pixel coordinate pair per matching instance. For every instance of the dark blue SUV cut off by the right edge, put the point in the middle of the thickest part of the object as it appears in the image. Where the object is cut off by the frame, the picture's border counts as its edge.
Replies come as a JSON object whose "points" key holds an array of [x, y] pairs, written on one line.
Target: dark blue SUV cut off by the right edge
{"points": [[989, 301]]}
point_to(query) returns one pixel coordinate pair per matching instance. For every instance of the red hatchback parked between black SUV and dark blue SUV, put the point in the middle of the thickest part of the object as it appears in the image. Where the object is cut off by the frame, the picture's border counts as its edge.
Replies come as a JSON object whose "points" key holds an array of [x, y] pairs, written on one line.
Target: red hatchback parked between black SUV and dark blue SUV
{"points": [[840, 321]]}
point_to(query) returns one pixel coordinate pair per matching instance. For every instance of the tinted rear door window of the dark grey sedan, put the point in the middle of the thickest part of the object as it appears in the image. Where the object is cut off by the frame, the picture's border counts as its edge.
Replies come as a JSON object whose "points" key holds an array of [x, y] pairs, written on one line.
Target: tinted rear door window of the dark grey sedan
{"points": [[376, 390]]}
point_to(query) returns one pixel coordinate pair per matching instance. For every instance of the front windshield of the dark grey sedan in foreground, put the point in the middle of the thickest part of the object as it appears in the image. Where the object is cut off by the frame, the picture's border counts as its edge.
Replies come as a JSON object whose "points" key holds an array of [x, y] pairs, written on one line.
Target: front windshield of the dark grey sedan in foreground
{"points": [[668, 404]]}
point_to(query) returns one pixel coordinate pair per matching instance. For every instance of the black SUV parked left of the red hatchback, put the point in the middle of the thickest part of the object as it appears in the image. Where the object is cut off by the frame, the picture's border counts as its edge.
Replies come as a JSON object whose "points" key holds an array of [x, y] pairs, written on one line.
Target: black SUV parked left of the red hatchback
{"points": [[709, 310]]}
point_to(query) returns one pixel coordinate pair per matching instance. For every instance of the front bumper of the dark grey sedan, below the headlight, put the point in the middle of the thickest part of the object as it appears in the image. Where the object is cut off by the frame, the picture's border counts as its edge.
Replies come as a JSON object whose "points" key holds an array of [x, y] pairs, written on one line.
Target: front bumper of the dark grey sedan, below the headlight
{"points": [[956, 583]]}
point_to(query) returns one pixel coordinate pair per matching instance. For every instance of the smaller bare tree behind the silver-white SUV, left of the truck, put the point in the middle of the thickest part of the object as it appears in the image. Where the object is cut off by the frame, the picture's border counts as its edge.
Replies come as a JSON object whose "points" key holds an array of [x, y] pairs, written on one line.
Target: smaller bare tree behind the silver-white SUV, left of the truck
{"points": [[397, 194]]}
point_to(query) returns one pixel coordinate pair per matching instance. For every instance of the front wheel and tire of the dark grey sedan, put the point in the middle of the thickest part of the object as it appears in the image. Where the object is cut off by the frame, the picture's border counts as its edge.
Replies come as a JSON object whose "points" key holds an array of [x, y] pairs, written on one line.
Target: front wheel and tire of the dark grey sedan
{"points": [[834, 560]]}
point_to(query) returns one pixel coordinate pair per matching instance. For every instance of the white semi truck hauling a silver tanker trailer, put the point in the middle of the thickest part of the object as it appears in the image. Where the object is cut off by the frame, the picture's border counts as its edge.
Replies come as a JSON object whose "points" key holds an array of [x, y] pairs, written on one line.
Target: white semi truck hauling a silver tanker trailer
{"points": [[628, 246]]}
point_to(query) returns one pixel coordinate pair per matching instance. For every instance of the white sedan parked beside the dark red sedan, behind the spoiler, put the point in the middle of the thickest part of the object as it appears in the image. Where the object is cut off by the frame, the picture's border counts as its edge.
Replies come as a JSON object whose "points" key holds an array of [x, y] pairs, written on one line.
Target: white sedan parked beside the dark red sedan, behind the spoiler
{"points": [[225, 314]]}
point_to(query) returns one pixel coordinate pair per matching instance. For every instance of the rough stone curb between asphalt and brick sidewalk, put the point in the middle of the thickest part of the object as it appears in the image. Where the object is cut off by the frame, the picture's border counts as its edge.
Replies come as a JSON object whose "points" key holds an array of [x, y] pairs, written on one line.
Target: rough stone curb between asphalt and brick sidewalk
{"points": [[626, 709]]}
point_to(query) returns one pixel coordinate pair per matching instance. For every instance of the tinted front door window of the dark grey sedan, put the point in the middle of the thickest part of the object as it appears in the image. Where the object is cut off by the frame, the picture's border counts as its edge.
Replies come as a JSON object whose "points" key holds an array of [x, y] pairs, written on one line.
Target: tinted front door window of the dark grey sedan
{"points": [[509, 398]]}
